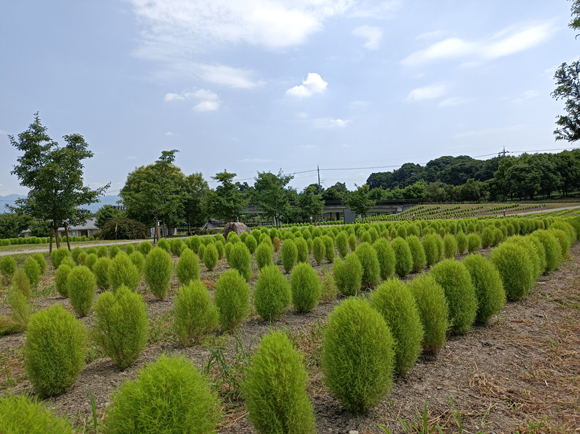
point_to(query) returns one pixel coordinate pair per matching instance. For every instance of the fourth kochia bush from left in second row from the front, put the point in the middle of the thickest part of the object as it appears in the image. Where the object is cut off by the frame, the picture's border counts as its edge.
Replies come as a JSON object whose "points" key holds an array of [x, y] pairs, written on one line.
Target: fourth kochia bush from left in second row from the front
{"points": [[232, 298]]}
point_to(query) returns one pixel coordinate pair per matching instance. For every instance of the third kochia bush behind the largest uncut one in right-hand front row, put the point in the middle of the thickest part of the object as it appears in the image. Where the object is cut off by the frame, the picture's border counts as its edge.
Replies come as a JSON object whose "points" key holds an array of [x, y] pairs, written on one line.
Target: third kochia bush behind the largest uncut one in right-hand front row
{"points": [[454, 277]]}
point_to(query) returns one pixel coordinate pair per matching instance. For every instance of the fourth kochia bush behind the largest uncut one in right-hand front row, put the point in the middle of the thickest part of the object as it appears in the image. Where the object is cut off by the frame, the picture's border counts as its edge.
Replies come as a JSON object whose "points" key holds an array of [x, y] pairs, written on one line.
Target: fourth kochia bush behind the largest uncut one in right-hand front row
{"points": [[488, 287]]}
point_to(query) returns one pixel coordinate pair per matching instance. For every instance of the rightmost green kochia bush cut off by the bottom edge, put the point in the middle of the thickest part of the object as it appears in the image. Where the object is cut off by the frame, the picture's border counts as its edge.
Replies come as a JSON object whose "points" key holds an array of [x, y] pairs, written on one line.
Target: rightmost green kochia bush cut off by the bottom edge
{"points": [[276, 396]]}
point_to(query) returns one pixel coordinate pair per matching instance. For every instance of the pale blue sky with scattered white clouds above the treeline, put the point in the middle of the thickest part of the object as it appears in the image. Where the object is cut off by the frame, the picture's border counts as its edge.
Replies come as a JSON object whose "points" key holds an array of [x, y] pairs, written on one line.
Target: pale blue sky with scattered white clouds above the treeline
{"points": [[354, 86]]}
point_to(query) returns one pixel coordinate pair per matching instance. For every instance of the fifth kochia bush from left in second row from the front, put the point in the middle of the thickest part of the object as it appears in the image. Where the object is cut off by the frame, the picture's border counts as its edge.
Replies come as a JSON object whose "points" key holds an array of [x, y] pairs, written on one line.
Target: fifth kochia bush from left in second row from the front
{"points": [[272, 294]]}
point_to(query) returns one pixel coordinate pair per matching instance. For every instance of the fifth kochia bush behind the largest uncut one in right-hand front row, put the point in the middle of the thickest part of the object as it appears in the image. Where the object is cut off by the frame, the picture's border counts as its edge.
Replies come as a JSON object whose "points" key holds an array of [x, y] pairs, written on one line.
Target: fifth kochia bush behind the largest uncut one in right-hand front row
{"points": [[516, 268]]}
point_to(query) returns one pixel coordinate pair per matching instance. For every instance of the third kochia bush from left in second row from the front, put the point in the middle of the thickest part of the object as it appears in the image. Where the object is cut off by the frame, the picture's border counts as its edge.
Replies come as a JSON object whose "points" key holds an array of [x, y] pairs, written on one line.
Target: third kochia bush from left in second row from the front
{"points": [[194, 313]]}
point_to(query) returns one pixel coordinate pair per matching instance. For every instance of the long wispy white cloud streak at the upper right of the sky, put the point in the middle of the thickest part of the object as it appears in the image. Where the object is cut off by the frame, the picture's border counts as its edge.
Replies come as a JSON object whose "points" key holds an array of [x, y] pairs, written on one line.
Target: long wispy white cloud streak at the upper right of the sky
{"points": [[504, 43]]}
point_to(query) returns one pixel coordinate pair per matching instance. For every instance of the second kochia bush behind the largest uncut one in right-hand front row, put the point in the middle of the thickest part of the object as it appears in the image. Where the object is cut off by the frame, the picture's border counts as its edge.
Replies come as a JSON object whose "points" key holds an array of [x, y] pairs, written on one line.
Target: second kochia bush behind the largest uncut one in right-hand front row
{"points": [[432, 307]]}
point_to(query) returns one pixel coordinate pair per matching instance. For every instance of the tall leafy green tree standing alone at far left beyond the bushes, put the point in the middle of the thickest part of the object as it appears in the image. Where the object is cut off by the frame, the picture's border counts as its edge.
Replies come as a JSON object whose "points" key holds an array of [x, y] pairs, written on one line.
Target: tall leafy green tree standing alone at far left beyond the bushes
{"points": [[54, 175]]}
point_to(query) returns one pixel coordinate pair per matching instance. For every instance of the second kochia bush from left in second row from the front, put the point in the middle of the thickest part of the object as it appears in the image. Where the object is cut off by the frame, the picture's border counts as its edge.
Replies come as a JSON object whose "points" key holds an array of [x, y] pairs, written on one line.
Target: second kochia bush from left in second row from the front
{"points": [[121, 326]]}
